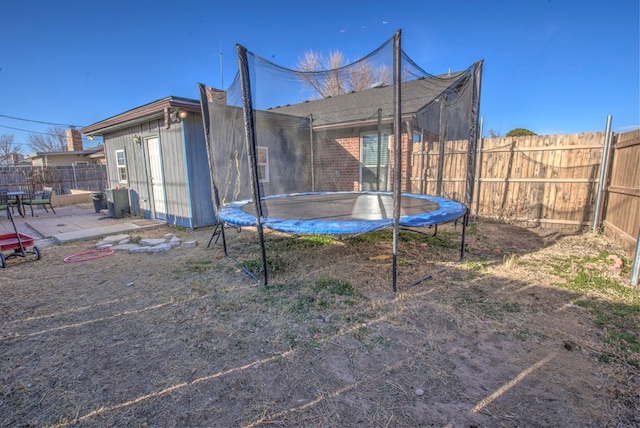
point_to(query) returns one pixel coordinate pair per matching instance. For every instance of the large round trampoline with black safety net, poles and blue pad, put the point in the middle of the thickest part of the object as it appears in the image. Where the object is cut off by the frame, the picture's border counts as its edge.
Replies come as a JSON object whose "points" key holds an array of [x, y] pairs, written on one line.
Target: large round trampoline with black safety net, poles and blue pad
{"points": [[314, 151]]}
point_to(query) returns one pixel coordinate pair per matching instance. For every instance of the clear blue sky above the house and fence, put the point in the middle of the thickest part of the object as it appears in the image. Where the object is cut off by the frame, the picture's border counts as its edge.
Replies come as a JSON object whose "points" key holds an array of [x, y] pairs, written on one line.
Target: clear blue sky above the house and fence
{"points": [[551, 66]]}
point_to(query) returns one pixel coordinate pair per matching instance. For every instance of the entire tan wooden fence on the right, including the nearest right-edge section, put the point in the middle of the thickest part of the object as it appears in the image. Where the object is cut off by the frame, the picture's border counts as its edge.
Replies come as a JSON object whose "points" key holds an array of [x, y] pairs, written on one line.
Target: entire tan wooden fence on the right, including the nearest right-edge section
{"points": [[549, 180]]}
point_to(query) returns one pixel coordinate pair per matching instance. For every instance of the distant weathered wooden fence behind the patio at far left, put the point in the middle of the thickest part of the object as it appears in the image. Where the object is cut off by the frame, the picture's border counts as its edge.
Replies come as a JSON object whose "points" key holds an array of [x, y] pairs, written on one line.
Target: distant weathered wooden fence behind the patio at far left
{"points": [[61, 178]]}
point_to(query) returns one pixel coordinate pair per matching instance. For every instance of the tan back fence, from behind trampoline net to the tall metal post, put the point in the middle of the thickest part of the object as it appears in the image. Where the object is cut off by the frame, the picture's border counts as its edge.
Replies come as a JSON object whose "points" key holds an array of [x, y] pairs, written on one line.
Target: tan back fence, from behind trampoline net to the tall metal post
{"points": [[542, 180]]}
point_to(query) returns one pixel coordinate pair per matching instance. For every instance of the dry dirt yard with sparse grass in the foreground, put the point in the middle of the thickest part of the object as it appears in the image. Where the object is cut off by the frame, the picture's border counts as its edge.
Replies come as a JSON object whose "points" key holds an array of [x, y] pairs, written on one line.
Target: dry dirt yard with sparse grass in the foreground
{"points": [[533, 329]]}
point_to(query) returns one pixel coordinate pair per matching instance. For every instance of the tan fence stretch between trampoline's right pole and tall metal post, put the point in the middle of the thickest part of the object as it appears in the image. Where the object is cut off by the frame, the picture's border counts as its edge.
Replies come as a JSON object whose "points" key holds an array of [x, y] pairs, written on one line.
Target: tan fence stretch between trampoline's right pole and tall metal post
{"points": [[541, 180]]}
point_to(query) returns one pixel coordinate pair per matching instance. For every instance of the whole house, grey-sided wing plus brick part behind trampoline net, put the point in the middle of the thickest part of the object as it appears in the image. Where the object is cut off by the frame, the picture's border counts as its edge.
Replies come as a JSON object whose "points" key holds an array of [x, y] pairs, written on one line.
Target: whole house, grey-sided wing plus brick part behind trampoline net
{"points": [[158, 151]]}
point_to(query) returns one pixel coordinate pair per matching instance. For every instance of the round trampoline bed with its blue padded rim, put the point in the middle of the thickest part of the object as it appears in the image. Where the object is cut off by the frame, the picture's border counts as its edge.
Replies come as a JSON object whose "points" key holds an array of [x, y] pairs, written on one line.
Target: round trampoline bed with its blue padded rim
{"points": [[341, 212]]}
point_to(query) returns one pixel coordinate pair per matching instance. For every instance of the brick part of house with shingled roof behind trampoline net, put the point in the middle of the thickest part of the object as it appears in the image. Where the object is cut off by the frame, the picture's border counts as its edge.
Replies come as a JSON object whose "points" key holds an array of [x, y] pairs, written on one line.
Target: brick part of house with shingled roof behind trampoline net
{"points": [[347, 127]]}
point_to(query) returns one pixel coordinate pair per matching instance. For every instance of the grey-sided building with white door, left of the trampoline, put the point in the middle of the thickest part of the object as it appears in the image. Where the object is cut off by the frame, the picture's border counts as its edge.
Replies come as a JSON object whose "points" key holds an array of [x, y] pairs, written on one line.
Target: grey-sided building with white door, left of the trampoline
{"points": [[158, 153]]}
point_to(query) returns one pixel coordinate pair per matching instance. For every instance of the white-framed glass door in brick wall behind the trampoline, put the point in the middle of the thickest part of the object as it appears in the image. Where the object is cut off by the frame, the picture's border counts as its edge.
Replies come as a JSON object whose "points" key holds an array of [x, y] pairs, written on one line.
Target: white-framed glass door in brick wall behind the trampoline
{"points": [[369, 178]]}
